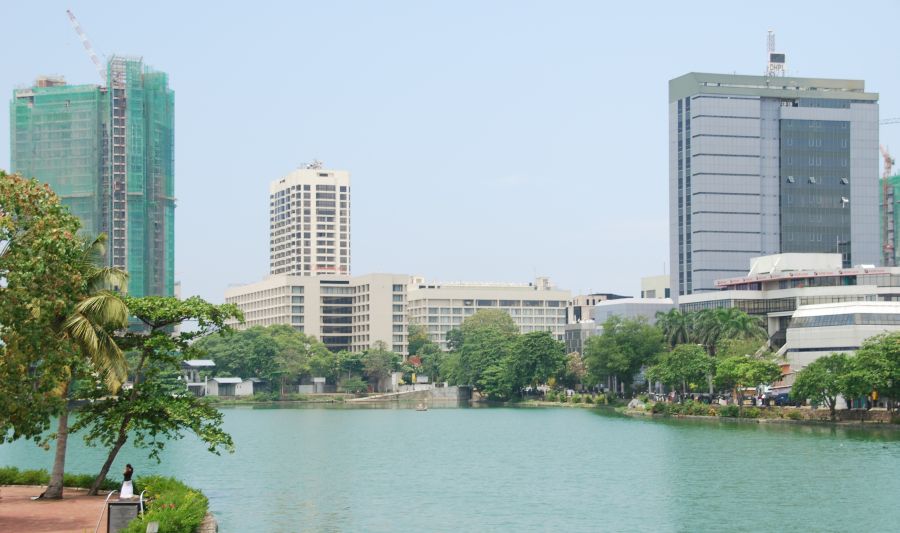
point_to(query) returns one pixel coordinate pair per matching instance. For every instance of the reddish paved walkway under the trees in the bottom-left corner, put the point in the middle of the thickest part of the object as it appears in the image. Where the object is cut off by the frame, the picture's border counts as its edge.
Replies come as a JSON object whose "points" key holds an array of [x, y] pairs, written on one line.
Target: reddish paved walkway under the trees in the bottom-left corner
{"points": [[75, 513]]}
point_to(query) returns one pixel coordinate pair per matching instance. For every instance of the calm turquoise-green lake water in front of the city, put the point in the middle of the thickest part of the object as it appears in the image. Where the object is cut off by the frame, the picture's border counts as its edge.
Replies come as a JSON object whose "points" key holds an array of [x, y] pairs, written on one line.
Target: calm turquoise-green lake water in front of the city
{"points": [[502, 469]]}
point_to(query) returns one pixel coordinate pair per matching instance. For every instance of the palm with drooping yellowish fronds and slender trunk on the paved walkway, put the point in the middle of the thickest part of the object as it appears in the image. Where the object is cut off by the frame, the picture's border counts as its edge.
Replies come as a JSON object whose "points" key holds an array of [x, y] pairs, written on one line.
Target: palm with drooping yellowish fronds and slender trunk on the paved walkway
{"points": [[88, 328]]}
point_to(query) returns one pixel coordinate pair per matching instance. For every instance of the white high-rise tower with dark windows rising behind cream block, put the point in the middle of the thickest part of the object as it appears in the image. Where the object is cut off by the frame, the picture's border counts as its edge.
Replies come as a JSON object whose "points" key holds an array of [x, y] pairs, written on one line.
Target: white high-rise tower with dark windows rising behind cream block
{"points": [[309, 222]]}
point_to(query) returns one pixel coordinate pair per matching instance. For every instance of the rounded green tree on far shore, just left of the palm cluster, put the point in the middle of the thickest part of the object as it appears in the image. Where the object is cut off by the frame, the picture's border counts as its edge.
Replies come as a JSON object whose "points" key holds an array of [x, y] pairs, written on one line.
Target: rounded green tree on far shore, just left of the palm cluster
{"points": [[621, 350]]}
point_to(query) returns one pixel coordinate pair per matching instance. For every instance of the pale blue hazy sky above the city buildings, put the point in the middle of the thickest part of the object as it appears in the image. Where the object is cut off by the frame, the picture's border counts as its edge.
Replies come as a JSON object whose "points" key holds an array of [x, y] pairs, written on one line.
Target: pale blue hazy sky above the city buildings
{"points": [[486, 140]]}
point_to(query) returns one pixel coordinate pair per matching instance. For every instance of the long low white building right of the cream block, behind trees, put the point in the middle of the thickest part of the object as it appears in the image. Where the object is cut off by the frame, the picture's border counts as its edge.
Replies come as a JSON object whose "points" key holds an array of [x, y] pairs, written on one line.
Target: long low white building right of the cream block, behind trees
{"points": [[440, 307]]}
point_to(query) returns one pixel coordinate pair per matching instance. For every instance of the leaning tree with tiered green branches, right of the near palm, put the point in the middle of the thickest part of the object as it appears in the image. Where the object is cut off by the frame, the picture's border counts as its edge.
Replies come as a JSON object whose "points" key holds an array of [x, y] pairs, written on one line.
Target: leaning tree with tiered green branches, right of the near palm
{"points": [[152, 411]]}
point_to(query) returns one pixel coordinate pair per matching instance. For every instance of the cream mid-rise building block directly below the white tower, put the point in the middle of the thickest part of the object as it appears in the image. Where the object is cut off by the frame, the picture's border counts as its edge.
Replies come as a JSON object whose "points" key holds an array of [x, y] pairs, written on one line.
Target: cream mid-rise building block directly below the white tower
{"points": [[345, 313]]}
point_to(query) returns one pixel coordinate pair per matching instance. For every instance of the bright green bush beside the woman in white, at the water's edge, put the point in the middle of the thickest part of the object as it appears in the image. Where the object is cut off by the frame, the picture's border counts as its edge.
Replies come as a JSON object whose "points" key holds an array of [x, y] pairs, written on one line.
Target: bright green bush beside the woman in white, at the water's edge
{"points": [[177, 507]]}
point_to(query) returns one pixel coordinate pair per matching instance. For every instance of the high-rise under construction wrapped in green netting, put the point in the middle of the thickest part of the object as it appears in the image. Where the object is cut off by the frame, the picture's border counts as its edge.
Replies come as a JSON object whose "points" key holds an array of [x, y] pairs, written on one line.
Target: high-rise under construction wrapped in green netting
{"points": [[108, 152]]}
